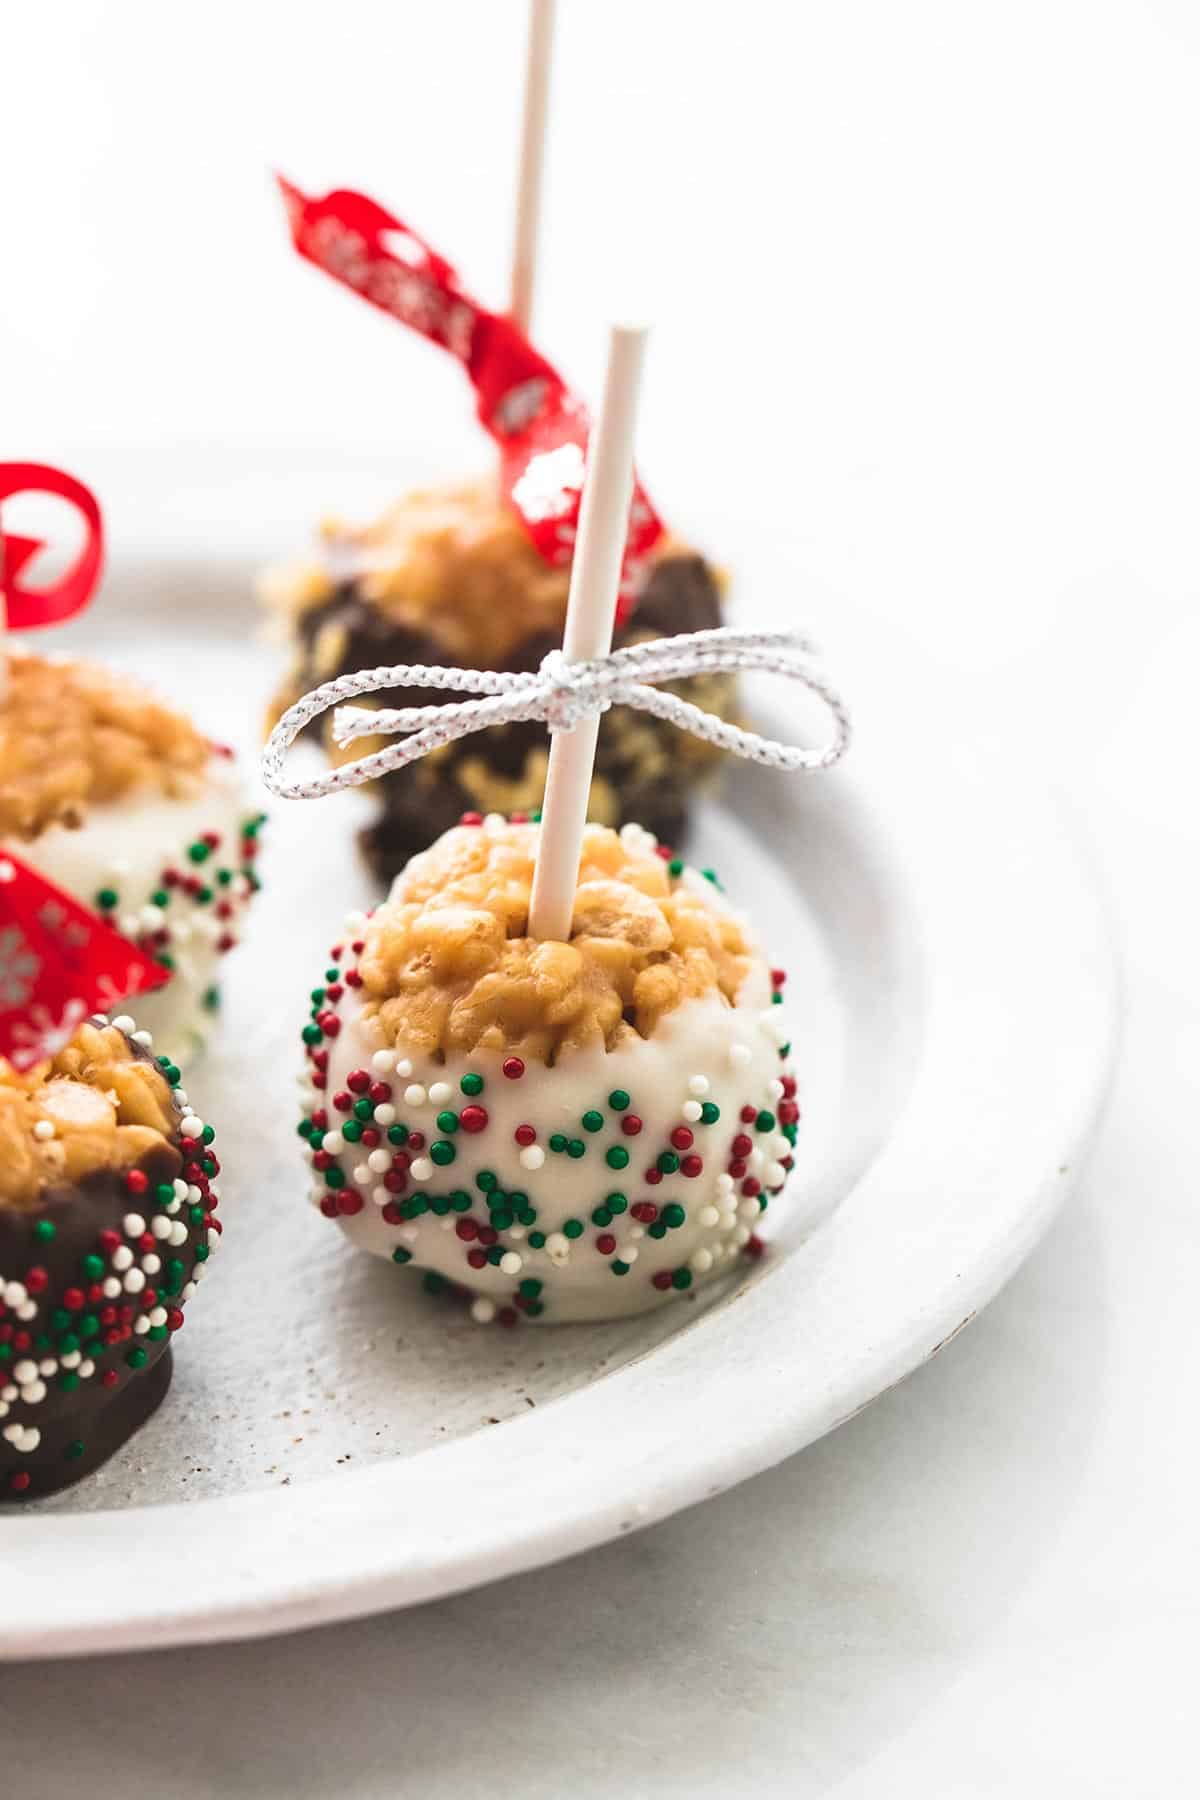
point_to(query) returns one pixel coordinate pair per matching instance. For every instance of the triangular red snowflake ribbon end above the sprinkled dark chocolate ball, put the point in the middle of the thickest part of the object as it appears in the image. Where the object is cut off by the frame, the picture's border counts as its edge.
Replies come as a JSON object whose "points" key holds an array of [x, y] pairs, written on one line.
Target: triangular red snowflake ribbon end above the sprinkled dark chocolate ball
{"points": [[58, 964]]}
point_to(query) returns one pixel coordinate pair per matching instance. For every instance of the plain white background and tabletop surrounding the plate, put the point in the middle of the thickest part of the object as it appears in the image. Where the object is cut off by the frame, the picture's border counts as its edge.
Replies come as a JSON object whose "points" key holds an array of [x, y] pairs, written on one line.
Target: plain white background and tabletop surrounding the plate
{"points": [[927, 285]]}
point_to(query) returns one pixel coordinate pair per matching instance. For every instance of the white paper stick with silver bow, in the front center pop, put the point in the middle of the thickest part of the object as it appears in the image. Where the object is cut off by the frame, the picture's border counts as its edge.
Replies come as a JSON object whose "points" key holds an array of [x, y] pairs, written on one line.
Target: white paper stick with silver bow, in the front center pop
{"points": [[591, 616]]}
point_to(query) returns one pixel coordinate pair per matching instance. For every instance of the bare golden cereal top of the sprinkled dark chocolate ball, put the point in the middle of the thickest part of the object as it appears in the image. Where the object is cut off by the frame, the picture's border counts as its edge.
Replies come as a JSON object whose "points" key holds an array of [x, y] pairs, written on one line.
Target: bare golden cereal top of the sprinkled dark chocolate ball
{"points": [[96, 1106]]}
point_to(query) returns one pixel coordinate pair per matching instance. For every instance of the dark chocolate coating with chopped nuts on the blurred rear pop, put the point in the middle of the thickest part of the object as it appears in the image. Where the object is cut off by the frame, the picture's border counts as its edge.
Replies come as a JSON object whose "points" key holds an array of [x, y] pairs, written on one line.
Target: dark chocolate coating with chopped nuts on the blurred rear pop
{"points": [[647, 764]]}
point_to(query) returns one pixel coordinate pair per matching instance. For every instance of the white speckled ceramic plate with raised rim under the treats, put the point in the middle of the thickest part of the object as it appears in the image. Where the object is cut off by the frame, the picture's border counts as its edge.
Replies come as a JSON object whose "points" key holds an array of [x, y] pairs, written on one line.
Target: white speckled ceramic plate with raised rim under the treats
{"points": [[337, 1443]]}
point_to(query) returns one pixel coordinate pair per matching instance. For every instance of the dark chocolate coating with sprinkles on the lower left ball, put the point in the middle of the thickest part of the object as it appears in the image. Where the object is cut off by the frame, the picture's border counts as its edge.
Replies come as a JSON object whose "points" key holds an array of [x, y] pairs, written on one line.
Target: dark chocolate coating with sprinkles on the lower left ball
{"points": [[82, 1425]]}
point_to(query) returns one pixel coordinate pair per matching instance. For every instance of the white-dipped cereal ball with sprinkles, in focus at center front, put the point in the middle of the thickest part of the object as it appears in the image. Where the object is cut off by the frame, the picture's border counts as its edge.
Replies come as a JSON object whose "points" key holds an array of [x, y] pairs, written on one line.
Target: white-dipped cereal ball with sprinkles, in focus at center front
{"points": [[569, 1131]]}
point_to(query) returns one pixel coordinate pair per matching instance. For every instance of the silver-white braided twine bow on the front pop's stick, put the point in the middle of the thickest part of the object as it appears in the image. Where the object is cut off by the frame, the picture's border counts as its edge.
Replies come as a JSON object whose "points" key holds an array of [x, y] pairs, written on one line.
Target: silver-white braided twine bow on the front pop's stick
{"points": [[560, 694]]}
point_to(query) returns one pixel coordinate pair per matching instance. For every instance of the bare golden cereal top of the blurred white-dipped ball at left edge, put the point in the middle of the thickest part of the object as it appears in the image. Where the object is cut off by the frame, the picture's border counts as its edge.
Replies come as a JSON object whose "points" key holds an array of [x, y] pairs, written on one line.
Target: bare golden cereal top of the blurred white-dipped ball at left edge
{"points": [[75, 735]]}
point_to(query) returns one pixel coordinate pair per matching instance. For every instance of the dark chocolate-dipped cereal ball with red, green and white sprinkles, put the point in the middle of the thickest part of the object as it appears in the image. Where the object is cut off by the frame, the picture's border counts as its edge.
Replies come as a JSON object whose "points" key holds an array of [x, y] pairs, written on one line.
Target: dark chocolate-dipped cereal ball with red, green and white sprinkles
{"points": [[105, 1230]]}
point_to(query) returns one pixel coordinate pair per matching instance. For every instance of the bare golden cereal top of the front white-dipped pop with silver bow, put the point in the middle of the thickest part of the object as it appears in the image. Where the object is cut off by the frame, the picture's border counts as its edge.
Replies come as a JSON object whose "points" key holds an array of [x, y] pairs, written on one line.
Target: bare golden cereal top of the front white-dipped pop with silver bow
{"points": [[449, 964]]}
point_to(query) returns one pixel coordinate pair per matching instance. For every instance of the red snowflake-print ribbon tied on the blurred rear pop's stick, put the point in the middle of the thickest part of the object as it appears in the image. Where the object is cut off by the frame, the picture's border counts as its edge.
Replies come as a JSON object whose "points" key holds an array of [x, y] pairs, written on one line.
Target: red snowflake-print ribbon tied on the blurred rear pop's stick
{"points": [[523, 402]]}
